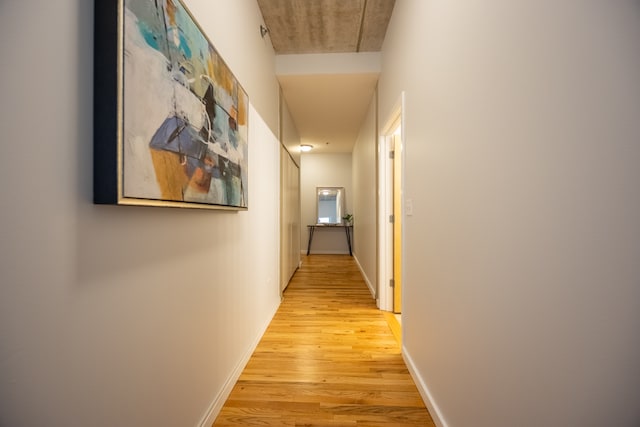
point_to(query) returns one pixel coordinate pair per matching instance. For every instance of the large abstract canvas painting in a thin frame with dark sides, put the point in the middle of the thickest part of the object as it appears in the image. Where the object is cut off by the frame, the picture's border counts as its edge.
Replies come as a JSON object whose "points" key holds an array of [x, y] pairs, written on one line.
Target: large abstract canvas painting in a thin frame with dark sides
{"points": [[170, 118]]}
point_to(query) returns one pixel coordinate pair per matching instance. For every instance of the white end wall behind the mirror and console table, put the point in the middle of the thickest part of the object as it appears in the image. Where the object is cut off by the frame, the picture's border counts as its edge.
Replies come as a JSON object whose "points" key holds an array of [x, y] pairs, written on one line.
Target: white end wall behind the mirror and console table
{"points": [[323, 170]]}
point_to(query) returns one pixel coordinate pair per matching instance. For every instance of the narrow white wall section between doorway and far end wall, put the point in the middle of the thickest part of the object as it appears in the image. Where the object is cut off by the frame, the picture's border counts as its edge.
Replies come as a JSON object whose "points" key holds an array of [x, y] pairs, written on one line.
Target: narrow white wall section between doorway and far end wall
{"points": [[364, 200]]}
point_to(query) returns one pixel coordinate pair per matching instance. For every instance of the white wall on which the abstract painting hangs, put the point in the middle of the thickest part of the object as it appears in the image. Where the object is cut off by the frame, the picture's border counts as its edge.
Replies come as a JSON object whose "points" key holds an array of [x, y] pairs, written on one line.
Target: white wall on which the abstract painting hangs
{"points": [[120, 316]]}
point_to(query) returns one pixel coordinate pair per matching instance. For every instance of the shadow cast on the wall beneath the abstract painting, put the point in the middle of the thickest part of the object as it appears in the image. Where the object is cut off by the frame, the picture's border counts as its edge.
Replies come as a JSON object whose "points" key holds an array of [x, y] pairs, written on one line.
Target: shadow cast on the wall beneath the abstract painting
{"points": [[113, 239]]}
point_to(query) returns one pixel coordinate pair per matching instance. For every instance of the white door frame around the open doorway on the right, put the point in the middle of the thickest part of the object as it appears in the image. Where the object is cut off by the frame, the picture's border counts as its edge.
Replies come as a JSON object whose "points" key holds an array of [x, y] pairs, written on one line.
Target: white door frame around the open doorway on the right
{"points": [[394, 121]]}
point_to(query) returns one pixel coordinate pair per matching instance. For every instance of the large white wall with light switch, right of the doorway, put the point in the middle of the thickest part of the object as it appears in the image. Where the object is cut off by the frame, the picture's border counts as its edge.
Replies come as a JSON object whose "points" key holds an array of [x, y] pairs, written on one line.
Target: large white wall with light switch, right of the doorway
{"points": [[521, 287]]}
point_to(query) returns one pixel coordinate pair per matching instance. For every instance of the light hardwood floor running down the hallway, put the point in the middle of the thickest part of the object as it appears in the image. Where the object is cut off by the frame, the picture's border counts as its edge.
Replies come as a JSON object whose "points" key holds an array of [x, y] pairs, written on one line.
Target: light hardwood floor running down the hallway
{"points": [[328, 358]]}
